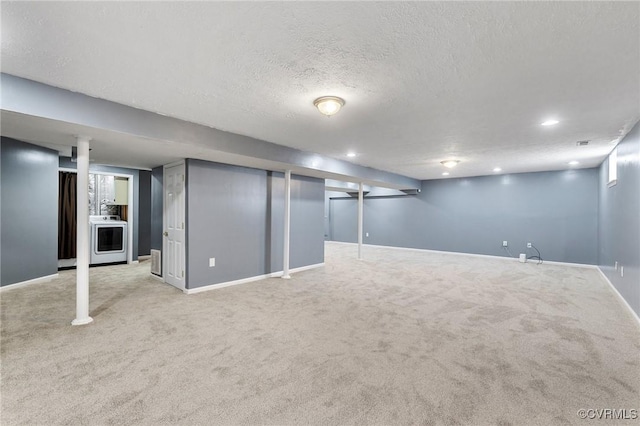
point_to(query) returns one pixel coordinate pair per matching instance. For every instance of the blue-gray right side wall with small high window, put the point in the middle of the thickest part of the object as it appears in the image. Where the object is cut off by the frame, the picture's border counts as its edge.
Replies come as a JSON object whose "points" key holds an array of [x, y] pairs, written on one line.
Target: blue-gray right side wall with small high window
{"points": [[619, 221]]}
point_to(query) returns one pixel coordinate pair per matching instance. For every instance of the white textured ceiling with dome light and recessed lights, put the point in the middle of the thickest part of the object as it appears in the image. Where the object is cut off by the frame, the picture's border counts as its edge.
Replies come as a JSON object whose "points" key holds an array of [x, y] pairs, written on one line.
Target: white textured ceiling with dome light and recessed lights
{"points": [[423, 81]]}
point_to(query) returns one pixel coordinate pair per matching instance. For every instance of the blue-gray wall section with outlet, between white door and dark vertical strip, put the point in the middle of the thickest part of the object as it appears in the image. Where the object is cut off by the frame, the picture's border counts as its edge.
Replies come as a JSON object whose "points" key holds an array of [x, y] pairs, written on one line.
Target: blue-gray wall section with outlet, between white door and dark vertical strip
{"points": [[226, 220]]}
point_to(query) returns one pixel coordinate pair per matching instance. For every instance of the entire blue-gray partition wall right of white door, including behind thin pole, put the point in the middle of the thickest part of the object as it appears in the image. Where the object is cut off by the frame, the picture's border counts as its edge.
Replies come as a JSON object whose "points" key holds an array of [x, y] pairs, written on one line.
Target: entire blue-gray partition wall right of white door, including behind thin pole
{"points": [[235, 214]]}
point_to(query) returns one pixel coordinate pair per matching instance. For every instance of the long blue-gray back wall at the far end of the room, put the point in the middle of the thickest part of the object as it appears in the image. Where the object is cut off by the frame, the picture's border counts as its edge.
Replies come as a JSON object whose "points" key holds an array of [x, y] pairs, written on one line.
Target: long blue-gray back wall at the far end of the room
{"points": [[556, 211]]}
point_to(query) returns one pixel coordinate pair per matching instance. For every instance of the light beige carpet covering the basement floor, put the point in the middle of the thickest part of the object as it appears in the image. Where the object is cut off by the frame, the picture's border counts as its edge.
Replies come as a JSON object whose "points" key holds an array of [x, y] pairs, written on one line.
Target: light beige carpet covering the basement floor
{"points": [[399, 338]]}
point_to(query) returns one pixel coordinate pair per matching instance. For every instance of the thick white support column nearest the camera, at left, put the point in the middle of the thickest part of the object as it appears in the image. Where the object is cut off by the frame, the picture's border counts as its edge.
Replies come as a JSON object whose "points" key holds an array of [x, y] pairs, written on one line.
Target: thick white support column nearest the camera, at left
{"points": [[82, 258]]}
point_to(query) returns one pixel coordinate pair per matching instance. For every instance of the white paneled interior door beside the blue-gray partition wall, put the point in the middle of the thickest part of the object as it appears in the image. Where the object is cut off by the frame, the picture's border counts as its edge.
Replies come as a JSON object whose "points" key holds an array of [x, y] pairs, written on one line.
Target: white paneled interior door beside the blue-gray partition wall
{"points": [[174, 230]]}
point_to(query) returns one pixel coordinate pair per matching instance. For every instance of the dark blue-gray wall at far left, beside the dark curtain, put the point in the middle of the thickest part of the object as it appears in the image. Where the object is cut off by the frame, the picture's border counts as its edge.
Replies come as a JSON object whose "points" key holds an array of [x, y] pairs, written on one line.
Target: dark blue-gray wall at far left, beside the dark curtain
{"points": [[29, 212]]}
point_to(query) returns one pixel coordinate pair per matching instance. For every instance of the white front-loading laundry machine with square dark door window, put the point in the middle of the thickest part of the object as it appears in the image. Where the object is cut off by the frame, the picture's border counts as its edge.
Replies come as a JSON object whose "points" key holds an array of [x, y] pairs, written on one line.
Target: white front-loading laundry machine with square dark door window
{"points": [[108, 239]]}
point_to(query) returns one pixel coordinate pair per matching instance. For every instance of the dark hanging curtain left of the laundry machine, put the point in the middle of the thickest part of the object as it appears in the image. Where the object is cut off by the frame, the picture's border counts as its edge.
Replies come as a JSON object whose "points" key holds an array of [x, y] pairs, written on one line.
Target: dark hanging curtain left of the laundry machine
{"points": [[67, 215]]}
